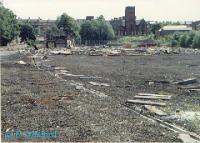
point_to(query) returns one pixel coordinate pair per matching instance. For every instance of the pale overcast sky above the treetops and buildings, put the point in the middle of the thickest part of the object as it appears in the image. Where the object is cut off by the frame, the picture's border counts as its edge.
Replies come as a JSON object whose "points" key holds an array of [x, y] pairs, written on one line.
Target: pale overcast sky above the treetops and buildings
{"points": [[161, 10]]}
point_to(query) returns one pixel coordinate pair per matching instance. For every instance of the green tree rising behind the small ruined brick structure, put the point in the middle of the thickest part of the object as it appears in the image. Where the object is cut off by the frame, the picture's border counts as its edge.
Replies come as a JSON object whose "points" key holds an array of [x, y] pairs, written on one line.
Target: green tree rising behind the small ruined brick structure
{"points": [[68, 25]]}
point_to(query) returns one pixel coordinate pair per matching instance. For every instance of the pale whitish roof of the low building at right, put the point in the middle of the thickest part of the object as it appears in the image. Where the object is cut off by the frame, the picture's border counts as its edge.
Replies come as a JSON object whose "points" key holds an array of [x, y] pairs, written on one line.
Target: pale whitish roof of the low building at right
{"points": [[176, 28]]}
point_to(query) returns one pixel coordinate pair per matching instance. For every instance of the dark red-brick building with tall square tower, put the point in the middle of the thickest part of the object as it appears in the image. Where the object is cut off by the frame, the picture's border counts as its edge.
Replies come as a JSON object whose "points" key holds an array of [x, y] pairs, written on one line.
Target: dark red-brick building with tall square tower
{"points": [[128, 25]]}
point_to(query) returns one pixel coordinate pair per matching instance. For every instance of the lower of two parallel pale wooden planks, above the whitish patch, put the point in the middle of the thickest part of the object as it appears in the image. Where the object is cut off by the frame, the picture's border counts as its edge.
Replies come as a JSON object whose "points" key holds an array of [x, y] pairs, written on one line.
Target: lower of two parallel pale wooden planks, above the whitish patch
{"points": [[146, 102]]}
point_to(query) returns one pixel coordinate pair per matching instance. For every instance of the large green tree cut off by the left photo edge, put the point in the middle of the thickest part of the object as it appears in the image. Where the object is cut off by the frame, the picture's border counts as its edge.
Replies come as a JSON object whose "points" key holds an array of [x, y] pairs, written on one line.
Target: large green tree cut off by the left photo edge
{"points": [[9, 27]]}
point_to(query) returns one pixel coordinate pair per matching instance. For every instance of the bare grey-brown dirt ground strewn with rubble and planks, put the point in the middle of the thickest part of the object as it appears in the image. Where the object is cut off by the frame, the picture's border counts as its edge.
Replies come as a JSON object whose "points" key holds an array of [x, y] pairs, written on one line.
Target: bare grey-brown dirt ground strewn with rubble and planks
{"points": [[34, 99]]}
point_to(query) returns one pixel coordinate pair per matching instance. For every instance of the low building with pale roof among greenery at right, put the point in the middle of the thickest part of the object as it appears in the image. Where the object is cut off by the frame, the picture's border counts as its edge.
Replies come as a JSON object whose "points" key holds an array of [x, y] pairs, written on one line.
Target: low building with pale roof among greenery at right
{"points": [[174, 28]]}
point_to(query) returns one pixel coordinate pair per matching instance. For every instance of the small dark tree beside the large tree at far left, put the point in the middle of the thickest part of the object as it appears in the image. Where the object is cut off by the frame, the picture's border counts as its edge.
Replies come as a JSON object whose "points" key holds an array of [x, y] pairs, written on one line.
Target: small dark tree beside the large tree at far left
{"points": [[27, 34]]}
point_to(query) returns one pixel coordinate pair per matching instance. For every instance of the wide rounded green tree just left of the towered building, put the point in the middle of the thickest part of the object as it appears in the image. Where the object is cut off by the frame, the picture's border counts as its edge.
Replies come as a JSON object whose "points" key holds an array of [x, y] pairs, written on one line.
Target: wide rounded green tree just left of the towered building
{"points": [[98, 29]]}
